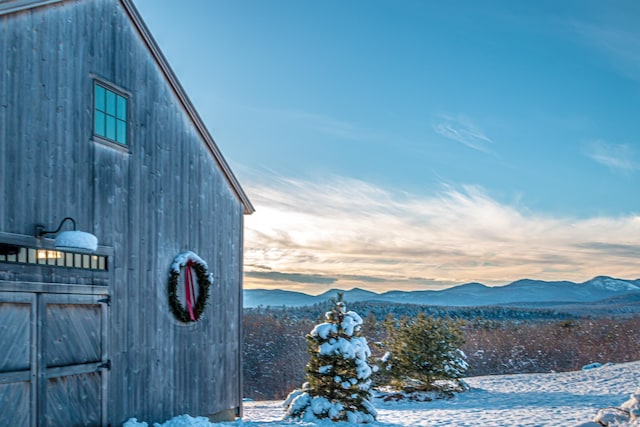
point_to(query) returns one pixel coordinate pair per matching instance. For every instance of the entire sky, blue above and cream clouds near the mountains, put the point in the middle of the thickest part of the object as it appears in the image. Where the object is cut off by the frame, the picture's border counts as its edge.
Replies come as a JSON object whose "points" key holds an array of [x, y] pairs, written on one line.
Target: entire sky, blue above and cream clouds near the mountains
{"points": [[420, 144]]}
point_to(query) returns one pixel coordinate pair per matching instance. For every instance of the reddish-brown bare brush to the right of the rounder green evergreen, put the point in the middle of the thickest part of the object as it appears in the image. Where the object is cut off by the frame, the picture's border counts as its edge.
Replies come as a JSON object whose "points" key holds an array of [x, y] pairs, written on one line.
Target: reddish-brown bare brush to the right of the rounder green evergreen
{"points": [[564, 345]]}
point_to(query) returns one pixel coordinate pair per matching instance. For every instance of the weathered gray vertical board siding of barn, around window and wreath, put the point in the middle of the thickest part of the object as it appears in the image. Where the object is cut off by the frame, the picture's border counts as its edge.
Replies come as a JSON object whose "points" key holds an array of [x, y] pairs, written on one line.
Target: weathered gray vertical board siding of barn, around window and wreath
{"points": [[162, 195]]}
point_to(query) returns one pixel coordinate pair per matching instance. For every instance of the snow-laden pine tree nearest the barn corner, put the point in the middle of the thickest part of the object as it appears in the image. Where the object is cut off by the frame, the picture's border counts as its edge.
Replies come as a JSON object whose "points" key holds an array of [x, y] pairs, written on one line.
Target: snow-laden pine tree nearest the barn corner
{"points": [[338, 383]]}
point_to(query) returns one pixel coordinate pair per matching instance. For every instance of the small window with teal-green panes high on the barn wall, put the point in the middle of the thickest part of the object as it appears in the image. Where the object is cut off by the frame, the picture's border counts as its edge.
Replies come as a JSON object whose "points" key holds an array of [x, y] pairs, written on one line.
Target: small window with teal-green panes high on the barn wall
{"points": [[110, 114]]}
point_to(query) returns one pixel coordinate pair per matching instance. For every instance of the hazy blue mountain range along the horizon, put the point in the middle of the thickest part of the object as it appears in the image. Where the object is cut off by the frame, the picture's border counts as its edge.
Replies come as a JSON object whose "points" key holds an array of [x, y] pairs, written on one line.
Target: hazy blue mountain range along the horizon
{"points": [[522, 292]]}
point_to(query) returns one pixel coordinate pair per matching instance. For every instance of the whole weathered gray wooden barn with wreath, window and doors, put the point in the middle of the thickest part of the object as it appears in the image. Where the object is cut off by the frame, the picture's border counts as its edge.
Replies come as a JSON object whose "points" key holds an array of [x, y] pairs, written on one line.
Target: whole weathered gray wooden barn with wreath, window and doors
{"points": [[95, 126]]}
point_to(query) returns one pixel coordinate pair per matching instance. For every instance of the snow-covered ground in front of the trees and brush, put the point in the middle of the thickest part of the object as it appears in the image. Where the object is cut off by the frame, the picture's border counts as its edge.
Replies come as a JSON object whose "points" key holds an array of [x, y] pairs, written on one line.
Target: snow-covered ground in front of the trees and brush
{"points": [[558, 399]]}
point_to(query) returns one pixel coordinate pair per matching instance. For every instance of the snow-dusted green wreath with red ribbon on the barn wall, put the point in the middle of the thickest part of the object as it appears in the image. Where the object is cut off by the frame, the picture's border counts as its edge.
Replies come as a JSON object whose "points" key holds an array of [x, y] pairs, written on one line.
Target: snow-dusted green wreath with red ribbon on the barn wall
{"points": [[194, 306]]}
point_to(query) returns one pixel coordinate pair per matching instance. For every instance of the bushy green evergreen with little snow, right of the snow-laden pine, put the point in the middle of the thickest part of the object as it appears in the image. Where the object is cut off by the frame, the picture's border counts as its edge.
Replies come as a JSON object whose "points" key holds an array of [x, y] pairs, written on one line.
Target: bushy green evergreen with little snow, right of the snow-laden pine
{"points": [[424, 353]]}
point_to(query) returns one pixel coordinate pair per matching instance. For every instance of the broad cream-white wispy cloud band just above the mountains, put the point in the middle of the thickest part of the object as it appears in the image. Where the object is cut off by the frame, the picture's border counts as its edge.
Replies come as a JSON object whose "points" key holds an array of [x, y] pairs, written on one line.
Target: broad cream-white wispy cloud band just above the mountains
{"points": [[348, 233]]}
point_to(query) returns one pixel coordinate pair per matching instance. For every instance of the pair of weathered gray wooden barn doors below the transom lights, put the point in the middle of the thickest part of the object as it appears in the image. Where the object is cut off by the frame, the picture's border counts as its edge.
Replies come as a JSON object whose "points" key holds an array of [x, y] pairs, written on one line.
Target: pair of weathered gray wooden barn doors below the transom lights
{"points": [[62, 382]]}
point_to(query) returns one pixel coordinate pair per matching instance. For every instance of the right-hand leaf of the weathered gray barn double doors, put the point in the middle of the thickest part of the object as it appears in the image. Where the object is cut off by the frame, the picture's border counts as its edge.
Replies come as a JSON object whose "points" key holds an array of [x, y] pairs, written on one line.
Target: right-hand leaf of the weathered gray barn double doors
{"points": [[72, 379]]}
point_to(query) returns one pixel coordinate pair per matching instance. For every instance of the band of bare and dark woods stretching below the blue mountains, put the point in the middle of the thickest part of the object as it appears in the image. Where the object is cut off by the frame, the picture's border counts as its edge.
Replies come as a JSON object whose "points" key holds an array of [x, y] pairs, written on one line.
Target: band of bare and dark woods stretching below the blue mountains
{"points": [[496, 340]]}
